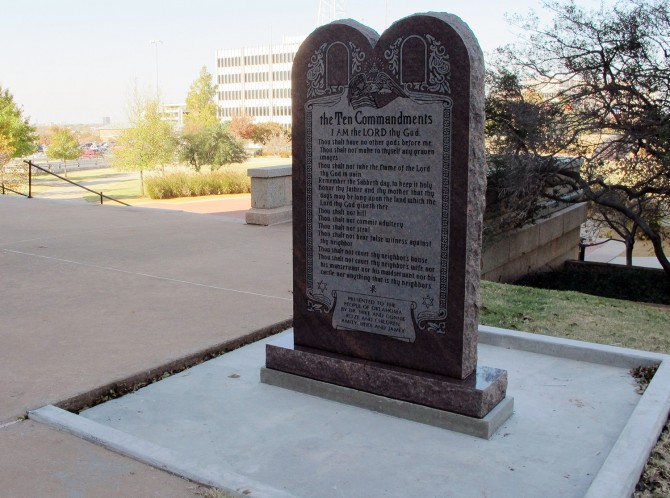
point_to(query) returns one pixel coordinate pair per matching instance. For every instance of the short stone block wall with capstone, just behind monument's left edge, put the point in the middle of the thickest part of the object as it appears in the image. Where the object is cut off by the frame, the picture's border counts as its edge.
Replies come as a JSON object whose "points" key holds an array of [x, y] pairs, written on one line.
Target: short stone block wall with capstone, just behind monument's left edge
{"points": [[271, 196]]}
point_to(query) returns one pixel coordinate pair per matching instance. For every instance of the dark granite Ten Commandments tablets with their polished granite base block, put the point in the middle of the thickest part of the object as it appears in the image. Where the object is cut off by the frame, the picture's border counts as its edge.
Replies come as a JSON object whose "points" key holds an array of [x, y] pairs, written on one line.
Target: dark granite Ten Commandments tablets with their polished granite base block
{"points": [[388, 194]]}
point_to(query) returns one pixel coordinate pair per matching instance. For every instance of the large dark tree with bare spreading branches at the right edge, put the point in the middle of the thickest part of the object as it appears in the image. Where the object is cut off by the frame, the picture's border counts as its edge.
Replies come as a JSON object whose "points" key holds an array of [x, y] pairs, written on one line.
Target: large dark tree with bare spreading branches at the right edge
{"points": [[605, 73]]}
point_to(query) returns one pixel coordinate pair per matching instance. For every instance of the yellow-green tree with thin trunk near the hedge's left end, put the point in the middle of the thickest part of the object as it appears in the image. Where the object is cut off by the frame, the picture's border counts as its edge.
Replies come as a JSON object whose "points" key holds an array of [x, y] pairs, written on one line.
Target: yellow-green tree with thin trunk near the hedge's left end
{"points": [[150, 144]]}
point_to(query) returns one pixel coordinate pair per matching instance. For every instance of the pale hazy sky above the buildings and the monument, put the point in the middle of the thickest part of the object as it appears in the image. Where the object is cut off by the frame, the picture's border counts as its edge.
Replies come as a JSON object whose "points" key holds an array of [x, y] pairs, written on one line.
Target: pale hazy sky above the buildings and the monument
{"points": [[75, 61]]}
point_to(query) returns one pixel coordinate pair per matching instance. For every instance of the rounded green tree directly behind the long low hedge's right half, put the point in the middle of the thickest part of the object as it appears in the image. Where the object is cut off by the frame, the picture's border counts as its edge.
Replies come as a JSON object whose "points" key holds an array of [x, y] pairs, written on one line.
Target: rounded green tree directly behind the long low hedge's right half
{"points": [[214, 146]]}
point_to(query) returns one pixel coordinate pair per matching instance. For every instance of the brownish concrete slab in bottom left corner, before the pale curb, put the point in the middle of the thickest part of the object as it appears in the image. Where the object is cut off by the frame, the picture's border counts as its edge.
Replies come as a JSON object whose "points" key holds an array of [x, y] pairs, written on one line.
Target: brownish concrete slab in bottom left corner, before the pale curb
{"points": [[39, 462]]}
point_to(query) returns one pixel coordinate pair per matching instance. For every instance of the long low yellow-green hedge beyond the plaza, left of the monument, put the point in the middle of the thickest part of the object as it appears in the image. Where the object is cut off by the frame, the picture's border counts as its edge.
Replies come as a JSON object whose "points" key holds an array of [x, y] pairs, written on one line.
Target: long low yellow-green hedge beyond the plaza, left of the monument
{"points": [[181, 184]]}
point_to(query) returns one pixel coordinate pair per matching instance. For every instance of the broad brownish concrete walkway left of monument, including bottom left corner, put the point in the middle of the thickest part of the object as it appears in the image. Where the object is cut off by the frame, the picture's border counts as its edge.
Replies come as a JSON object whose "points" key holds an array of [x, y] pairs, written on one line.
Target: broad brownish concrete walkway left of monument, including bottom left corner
{"points": [[96, 294]]}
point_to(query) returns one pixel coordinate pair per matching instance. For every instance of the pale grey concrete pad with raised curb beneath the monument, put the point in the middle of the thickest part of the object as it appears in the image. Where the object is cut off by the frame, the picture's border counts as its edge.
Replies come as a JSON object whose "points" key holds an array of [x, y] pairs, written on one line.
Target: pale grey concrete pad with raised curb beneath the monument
{"points": [[579, 428]]}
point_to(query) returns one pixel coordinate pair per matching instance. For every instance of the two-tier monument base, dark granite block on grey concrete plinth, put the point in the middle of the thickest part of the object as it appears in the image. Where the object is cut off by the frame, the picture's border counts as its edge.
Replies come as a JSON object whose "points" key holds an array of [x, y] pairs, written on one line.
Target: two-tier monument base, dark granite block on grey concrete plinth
{"points": [[477, 403]]}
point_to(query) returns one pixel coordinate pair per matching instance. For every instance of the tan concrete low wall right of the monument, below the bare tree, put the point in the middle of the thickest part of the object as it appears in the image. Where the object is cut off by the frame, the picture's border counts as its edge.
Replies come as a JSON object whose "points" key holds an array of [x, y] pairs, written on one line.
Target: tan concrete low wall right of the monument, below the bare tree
{"points": [[548, 243]]}
